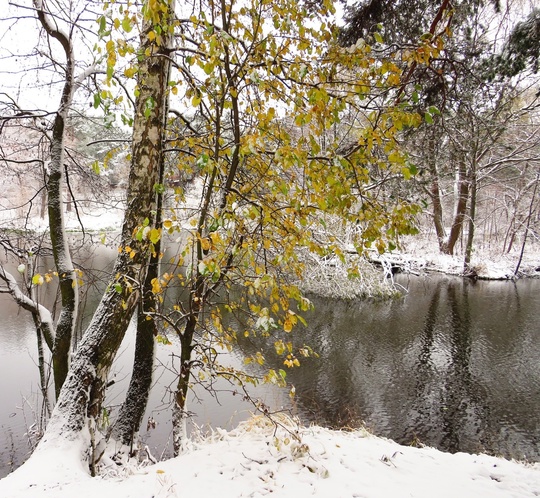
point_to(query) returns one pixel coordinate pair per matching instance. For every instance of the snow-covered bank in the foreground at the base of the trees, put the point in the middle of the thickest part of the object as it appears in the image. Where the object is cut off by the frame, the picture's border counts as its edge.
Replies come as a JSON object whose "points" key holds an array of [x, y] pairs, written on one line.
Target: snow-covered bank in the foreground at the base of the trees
{"points": [[257, 459]]}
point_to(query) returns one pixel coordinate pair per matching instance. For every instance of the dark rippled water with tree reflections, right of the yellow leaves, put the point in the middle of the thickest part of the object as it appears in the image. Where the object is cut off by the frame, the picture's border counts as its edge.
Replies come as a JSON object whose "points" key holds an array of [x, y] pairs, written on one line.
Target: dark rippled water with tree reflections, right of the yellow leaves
{"points": [[453, 364]]}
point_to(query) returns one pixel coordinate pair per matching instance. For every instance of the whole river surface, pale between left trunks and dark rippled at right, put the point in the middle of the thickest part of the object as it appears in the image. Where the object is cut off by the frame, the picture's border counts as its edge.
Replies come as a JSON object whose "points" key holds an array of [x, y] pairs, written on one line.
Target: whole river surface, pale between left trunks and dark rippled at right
{"points": [[453, 364]]}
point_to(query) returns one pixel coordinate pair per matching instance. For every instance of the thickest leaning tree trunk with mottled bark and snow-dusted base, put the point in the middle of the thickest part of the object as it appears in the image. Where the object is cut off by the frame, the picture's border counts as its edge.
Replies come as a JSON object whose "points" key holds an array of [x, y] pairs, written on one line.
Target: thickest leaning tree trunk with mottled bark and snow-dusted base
{"points": [[82, 395]]}
